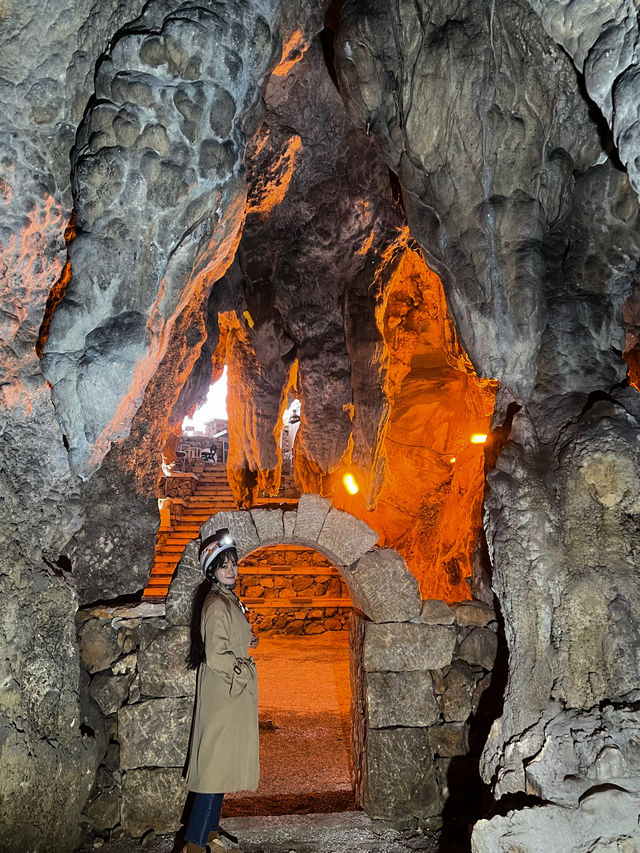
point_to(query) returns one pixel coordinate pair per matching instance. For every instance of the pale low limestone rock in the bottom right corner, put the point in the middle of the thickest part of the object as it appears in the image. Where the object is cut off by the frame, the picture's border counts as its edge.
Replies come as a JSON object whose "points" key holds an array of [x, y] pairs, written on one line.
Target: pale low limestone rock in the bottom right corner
{"points": [[605, 820]]}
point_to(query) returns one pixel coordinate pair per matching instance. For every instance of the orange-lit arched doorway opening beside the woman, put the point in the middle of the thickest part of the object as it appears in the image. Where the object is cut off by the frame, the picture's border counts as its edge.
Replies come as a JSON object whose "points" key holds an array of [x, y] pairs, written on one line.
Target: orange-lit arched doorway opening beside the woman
{"points": [[300, 608]]}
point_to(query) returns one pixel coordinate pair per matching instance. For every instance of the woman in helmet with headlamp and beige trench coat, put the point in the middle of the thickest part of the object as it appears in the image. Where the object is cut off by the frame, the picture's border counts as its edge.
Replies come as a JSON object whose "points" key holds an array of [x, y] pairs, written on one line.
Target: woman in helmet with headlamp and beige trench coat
{"points": [[223, 753]]}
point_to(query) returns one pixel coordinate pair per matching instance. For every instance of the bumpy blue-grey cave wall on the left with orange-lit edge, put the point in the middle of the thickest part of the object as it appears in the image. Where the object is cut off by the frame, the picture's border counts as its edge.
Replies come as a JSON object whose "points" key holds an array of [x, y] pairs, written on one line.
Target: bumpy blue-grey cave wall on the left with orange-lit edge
{"points": [[74, 80]]}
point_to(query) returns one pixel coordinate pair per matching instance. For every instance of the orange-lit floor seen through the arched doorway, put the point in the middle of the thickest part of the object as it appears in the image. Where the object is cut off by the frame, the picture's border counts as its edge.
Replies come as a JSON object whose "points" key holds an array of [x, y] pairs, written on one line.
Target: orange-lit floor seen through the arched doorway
{"points": [[304, 701]]}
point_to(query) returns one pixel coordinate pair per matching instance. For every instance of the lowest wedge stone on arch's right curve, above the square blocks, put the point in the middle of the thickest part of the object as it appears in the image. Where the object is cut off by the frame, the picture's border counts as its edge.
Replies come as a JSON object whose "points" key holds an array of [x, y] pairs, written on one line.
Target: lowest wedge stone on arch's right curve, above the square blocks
{"points": [[382, 586]]}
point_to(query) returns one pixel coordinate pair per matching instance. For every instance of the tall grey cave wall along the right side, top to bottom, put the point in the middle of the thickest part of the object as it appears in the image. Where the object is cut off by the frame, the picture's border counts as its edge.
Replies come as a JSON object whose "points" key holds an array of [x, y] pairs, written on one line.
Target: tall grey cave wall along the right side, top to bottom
{"points": [[516, 192]]}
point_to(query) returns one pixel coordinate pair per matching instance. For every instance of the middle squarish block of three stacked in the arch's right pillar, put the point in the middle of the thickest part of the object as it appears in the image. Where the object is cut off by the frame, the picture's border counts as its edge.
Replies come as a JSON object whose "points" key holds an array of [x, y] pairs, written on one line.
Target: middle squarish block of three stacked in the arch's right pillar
{"points": [[401, 699]]}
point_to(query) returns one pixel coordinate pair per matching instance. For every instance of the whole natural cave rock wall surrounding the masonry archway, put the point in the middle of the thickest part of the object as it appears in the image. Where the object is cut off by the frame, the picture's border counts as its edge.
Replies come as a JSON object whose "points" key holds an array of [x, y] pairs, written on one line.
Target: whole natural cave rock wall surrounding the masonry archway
{"points": [[513, 130]]}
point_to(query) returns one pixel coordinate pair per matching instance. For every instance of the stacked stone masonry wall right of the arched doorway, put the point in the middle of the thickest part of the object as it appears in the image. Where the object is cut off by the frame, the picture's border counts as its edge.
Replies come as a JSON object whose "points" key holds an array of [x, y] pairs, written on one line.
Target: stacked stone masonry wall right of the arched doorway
{"points": [[415, 699]]}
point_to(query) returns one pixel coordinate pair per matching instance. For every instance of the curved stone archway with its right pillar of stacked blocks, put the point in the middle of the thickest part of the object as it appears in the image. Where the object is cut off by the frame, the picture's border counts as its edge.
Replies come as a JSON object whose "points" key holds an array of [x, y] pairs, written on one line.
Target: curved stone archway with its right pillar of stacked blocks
{"points": [[392, 650]]}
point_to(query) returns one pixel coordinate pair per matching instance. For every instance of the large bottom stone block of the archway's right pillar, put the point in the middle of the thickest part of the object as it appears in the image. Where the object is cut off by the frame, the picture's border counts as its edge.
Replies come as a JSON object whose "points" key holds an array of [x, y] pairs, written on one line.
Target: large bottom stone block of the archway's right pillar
{"points": [[401, 782]]}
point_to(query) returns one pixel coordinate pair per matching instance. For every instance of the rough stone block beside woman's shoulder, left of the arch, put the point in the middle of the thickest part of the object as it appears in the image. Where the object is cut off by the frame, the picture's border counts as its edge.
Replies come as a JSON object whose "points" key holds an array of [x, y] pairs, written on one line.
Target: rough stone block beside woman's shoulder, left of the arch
{"points": [[162, 665]]}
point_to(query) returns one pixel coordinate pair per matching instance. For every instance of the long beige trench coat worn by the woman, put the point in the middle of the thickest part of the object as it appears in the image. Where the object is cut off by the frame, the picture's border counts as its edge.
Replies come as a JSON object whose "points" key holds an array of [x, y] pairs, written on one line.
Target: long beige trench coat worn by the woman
{"points": [[223, 753]]}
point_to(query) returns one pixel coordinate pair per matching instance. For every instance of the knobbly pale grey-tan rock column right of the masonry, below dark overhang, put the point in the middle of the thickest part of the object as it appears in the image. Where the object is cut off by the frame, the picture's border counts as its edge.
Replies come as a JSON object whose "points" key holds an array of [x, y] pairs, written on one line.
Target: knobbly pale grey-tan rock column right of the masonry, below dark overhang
{"points": [[568, 572]]}
